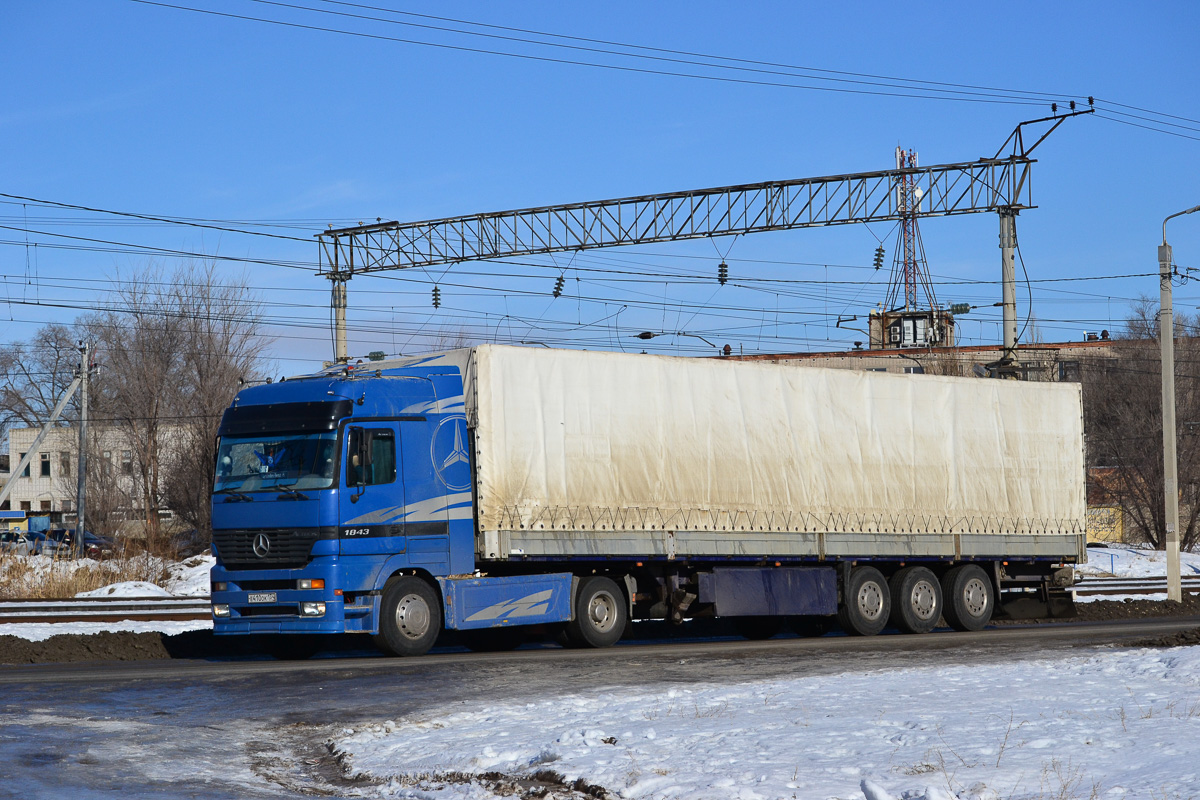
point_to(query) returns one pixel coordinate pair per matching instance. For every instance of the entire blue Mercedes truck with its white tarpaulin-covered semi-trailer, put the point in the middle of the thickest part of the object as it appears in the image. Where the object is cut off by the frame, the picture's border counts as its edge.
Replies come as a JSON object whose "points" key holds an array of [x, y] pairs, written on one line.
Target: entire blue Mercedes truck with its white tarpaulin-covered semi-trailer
{"points": [[495, 486]]}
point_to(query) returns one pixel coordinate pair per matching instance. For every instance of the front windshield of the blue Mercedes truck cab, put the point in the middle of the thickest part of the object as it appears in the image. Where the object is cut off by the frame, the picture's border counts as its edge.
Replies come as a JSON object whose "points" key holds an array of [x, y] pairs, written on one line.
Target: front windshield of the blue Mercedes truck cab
{"points": [[267, 462]]}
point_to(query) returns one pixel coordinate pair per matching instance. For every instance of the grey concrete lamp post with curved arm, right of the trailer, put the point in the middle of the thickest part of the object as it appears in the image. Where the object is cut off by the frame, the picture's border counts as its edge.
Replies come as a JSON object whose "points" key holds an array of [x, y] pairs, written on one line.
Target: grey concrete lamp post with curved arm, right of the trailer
{"points": [[1171, 461]]}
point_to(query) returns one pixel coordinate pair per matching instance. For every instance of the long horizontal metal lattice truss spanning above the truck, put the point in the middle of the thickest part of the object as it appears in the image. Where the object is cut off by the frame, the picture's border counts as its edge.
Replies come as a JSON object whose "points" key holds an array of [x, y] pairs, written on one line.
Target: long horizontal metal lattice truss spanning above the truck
{"points": [[945, 190]]}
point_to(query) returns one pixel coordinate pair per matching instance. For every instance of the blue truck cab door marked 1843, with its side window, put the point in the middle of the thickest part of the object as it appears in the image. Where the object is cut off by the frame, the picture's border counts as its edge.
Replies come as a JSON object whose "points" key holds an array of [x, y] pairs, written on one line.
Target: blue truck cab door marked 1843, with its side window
{"points": [[371, 498]]}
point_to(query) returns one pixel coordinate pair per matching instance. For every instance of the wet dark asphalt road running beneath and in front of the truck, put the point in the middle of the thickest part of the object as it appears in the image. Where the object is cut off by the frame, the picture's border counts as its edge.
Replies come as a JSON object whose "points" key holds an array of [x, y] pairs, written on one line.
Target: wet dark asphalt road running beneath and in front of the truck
{"points": [[257, 729]]}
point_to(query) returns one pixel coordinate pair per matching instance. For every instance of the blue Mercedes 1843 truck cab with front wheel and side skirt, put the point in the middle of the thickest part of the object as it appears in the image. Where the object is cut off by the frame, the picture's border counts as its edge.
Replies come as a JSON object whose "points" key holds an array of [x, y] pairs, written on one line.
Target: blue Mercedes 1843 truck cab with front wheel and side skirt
{"points": [[343, 504]]}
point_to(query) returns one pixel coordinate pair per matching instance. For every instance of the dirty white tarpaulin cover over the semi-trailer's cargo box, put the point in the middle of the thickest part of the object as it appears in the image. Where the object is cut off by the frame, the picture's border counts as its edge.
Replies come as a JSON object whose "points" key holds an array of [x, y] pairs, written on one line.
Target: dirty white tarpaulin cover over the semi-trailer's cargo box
{"points": [[589, 441]]}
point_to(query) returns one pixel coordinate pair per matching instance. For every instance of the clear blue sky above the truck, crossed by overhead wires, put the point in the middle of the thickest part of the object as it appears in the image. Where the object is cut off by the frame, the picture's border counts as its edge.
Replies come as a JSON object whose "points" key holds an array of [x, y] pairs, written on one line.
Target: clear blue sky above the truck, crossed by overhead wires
{"points": [[127, 106]]}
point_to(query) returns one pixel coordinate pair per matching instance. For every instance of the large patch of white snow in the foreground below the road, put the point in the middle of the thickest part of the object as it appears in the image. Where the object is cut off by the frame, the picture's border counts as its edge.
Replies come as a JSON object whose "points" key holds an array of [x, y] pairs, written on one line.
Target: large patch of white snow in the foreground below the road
{"points": [[1114, 725]]}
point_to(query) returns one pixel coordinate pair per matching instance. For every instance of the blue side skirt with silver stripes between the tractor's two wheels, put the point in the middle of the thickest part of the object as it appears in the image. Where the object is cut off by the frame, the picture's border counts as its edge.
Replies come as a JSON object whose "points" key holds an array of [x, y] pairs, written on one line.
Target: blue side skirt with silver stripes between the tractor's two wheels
{"points": [[475, 604]]}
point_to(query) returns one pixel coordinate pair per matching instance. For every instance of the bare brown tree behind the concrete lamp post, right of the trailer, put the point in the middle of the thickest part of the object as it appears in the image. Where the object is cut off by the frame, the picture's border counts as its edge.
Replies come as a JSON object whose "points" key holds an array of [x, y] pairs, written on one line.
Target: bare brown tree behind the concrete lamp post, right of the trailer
{"points": [[1124, 420]]}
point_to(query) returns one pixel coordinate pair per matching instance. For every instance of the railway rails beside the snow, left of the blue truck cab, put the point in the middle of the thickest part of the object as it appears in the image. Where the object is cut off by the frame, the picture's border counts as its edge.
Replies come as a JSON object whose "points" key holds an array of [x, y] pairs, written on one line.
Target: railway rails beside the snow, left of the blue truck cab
{"points": [[106, 610]]}
